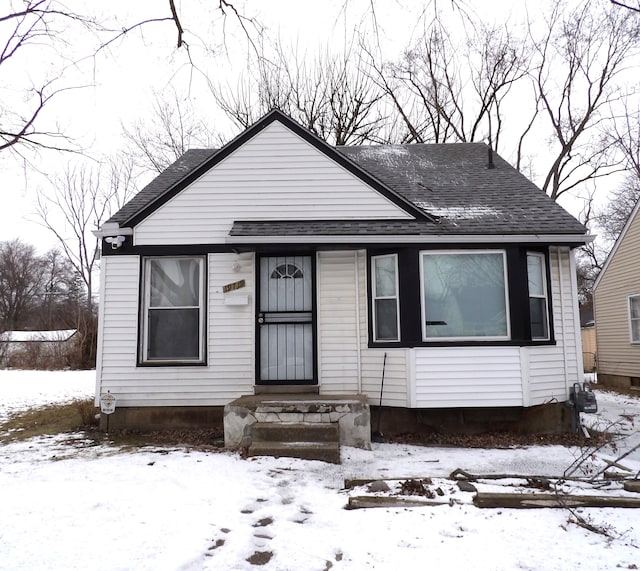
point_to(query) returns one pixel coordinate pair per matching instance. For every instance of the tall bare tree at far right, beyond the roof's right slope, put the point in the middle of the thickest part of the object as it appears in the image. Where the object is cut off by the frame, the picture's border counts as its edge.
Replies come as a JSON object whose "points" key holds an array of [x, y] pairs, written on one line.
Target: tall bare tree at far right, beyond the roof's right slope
{"points": [[581, 60]]}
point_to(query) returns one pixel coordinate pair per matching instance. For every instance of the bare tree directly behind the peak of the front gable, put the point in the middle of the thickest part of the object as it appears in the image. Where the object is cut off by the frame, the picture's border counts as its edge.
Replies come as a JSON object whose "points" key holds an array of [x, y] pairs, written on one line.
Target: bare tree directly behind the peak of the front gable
{"points": [[330, 94]]}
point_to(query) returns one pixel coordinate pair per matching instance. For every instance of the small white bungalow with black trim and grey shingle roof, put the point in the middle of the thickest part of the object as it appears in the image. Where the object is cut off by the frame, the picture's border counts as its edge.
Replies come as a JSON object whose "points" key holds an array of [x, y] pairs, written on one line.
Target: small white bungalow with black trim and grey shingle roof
{"points": [[433, 278]]}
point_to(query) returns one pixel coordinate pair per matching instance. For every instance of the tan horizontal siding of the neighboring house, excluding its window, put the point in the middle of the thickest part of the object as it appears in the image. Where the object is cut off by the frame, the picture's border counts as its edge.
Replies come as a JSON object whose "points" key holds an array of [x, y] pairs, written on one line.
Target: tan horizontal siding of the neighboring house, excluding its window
{"points": [[616, 354]]}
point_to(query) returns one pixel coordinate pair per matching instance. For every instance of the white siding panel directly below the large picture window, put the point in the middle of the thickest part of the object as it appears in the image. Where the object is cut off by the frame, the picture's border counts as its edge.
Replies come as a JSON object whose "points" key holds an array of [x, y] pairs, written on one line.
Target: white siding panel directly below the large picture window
{"points": [[468, 377]]}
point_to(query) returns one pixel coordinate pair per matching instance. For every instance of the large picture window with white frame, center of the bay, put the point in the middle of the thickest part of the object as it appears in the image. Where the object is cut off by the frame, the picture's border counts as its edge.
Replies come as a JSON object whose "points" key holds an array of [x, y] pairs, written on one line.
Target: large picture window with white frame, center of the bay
{"points": [[464, 296]]}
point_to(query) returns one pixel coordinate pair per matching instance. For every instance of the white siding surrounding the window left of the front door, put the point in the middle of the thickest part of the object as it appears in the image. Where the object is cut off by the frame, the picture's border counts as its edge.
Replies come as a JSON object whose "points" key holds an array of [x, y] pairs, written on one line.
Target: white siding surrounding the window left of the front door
{"points": [[230, 369]]}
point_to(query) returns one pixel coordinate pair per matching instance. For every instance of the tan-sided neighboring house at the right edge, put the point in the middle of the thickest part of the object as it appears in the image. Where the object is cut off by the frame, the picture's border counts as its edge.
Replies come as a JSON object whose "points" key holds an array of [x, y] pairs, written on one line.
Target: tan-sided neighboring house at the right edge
{"points": [[616, 295]]}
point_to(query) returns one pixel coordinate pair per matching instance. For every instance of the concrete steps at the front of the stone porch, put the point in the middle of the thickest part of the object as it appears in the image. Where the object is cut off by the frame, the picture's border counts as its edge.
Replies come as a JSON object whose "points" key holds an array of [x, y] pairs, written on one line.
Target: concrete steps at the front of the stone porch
{"points": [[309, 441]]}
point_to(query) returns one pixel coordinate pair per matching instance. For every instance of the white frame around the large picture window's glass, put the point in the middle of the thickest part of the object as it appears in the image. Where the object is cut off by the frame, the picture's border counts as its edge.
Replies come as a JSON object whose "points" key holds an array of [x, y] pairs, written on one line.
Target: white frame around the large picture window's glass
{"points": [[423, 309]]}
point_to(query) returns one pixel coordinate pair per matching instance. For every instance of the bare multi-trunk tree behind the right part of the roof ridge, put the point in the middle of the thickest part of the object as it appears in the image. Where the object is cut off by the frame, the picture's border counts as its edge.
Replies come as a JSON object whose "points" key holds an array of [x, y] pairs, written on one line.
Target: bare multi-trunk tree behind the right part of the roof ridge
{"points": [[446, 90]]}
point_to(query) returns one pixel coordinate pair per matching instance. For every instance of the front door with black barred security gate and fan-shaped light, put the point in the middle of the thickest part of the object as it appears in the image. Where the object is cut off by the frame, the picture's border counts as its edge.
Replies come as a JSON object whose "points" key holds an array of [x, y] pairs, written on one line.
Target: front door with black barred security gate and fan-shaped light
{"points": [[285, 321]]}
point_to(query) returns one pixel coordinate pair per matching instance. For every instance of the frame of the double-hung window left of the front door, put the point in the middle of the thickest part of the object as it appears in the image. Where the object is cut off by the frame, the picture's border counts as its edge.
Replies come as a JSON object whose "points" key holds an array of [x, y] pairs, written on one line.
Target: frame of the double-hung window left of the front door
{"points": [[145, 308]]}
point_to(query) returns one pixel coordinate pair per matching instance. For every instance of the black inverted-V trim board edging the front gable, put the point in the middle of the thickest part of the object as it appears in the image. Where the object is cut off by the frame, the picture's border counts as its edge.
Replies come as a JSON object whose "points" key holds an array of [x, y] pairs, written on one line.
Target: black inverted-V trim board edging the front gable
{"points": [[252, 131]]}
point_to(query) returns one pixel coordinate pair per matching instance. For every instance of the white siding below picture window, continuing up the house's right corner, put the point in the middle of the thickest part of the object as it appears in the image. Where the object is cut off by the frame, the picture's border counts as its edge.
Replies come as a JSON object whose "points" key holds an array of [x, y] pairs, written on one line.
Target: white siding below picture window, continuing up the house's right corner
{"points": [[508, 376]]}
